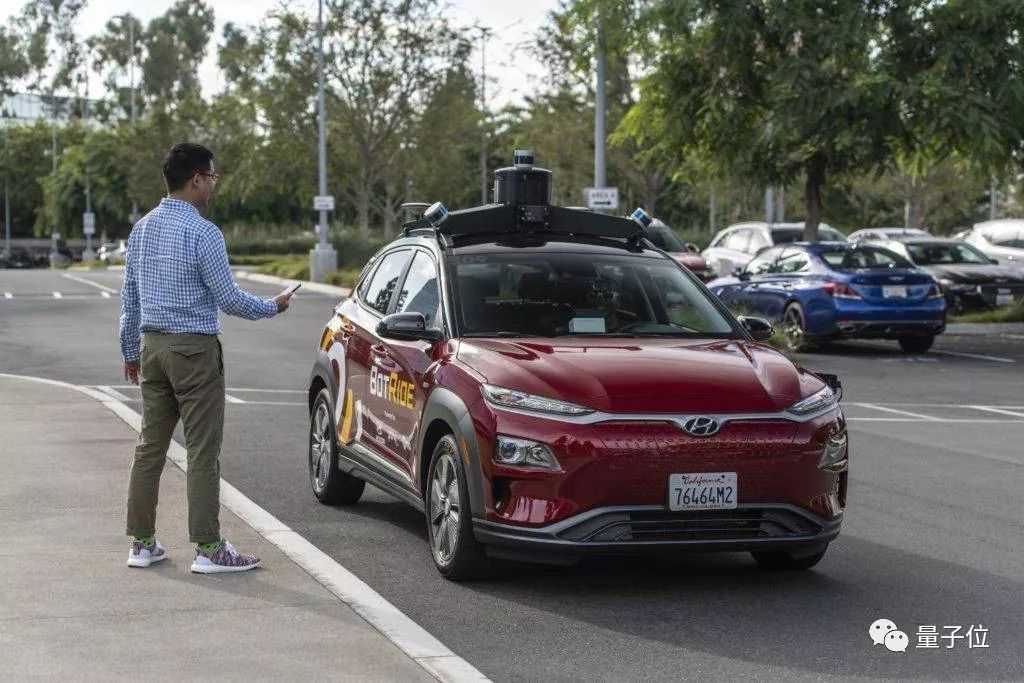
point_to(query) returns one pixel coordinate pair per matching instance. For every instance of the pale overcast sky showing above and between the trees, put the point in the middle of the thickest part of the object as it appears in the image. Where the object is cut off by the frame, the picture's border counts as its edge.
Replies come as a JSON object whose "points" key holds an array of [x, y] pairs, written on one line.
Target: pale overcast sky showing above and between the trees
{"points": [[509, 70]]}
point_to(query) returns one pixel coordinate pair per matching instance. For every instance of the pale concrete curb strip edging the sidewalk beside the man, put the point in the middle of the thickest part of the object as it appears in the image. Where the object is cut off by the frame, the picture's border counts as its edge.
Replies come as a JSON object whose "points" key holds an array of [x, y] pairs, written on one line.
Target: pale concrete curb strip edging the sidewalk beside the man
{"points": [[409, 636]]}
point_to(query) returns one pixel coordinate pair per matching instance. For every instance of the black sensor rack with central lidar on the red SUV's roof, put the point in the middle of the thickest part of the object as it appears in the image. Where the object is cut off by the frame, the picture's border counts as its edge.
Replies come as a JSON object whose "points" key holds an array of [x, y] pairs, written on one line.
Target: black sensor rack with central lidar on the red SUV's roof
{"points": [[523, 205]]}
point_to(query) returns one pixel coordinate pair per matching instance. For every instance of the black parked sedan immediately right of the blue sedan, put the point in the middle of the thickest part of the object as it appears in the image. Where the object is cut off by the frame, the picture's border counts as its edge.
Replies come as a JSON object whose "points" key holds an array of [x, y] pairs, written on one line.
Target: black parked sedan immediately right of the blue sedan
{"points": [[969, 280]]}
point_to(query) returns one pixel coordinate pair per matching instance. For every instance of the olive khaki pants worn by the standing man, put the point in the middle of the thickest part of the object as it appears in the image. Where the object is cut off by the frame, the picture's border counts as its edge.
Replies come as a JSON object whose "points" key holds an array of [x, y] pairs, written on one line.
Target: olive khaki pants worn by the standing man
{"points": [[182, 376]]}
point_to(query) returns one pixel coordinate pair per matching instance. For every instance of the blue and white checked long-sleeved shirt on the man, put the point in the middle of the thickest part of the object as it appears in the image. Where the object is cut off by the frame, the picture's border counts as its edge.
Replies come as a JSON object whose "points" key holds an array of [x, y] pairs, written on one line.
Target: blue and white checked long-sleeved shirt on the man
{"points": [[177, 278]]}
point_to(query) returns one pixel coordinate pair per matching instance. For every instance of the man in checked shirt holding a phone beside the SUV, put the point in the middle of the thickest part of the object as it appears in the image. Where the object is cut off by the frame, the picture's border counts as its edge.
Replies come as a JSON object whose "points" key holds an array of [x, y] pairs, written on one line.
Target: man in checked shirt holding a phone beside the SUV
{"points": [[177, 278]]}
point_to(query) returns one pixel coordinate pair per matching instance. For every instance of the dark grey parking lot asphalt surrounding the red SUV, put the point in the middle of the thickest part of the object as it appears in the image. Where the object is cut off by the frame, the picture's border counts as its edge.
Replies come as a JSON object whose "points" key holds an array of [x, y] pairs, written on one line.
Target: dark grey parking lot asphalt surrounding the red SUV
{"points": [[932, 537]]}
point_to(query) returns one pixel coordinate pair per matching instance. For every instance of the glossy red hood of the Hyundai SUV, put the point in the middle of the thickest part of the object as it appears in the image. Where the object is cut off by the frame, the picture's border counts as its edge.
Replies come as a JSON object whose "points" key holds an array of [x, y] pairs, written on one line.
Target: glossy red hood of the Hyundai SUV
{"points": [[645, 375]]}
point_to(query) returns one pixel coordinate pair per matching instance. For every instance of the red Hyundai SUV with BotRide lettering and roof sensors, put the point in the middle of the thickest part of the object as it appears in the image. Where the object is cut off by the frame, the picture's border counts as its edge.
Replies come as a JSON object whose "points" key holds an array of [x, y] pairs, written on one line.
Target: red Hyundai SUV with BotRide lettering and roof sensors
{"points": [[545, 383]]}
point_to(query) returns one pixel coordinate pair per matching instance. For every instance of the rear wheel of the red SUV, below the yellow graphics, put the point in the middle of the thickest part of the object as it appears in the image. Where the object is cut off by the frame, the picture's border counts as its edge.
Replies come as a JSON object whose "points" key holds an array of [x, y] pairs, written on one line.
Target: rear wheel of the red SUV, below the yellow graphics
{"points": [[330, 485]]}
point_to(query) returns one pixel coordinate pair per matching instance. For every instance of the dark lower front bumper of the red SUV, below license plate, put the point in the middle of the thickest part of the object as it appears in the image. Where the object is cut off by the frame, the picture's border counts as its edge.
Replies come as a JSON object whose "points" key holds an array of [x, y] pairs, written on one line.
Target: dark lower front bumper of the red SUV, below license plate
{"points": [[655, 529]]}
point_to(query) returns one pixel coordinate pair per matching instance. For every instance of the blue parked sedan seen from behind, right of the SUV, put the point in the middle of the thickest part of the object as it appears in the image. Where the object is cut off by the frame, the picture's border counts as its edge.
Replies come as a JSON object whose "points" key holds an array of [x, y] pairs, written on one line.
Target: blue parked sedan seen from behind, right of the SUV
{"points": [[836, 290]]}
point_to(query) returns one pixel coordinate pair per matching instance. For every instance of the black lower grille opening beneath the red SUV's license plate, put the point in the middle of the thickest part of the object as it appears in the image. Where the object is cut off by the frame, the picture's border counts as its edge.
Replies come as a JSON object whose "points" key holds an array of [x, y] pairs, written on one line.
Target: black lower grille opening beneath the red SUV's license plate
{"points": [[659, 526]]}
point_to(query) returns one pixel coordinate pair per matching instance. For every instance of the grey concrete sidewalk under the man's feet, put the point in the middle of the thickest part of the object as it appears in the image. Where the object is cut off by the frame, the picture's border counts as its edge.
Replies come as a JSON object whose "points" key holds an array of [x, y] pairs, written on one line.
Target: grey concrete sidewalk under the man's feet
{"points": [[70, 607]]}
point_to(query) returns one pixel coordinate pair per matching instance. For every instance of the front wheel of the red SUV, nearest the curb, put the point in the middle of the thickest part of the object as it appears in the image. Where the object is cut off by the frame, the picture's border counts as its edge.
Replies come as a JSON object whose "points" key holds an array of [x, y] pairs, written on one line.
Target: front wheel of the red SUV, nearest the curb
{"points": [[457, 554]]}
